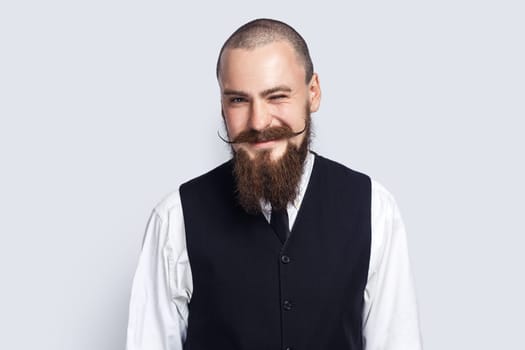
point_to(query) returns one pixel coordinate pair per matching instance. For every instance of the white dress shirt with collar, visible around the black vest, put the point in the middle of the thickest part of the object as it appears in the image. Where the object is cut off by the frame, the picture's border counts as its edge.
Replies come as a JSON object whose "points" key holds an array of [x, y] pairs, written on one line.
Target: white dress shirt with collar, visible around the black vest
{"points": [[162, 286]]}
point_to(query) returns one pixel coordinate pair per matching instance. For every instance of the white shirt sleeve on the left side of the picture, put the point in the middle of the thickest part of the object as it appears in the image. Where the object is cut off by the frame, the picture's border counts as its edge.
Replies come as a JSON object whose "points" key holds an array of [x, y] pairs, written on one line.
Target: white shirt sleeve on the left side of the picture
{"points": [[161, 290]]}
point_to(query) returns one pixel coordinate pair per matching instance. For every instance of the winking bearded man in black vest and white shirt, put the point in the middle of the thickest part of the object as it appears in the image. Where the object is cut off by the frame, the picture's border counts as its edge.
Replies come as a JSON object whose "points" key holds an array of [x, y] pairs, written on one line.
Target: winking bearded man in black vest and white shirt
{"points": [[278, 248]]}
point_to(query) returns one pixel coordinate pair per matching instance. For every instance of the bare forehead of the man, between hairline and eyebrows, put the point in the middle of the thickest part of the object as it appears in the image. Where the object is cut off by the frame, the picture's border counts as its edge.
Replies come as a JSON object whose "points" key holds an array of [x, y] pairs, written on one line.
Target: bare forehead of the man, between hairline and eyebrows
{"points": [[276, 63]]}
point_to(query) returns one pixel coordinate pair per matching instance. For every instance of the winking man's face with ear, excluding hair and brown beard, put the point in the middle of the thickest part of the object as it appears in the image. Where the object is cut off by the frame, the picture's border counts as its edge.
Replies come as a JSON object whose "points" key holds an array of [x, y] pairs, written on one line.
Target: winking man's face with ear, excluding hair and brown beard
{"points": [[263, 88]]}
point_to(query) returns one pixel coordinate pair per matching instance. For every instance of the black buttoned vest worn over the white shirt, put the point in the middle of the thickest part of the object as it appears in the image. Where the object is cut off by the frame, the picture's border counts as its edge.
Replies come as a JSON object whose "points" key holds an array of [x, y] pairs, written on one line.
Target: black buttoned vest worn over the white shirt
{"points": [[250, 292]]}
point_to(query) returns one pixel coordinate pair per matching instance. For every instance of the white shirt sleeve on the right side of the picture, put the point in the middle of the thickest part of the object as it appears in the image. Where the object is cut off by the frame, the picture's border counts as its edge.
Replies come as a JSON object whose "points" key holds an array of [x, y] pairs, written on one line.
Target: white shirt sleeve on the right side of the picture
{"points": [[390, 316]]}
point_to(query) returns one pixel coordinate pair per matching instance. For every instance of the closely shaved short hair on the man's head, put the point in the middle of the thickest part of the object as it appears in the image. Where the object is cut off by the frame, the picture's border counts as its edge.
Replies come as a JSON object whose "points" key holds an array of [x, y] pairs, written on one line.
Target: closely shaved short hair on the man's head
{"points": [[263, 31]]}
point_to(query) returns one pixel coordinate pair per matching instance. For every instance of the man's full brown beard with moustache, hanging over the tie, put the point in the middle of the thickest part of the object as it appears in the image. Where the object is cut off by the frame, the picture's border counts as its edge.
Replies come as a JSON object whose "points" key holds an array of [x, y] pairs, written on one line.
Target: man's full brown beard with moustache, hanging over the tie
{"points": [[275, 181]]}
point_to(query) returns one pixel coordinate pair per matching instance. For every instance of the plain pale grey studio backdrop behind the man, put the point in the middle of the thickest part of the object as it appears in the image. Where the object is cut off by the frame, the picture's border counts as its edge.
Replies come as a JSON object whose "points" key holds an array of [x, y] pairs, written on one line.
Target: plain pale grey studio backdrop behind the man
{"points": [[107, 106]]}
